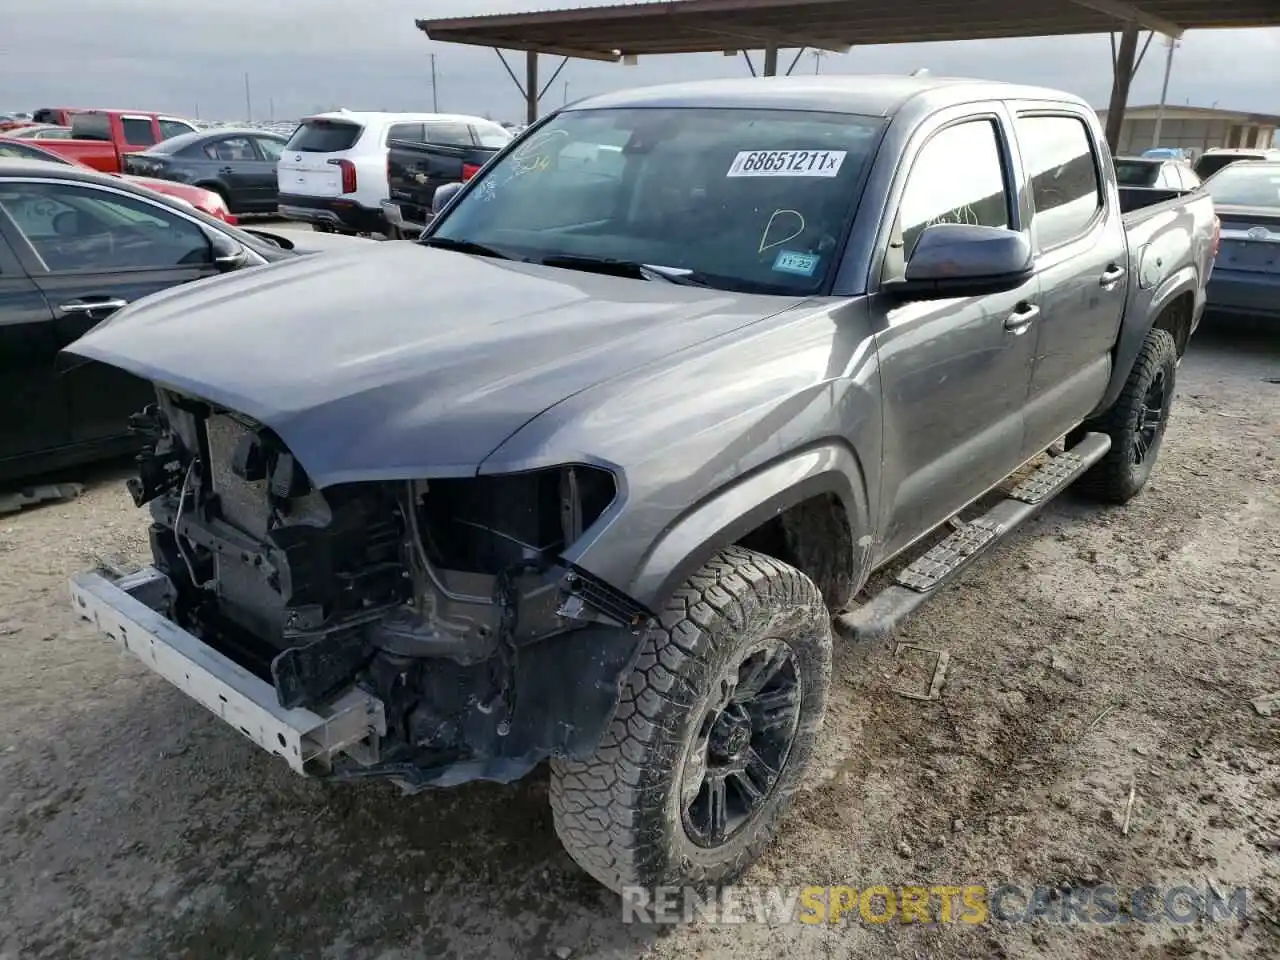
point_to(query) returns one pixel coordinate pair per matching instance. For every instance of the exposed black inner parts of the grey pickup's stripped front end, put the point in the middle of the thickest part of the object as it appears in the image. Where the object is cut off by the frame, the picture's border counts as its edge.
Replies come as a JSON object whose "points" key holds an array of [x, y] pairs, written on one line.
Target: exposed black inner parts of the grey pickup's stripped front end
{"points": [[445, 600]]}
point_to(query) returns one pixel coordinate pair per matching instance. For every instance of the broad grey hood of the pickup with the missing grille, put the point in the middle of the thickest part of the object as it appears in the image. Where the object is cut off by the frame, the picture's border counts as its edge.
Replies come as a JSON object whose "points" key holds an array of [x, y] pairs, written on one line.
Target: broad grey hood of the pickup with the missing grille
{"points": [[401, 362]]}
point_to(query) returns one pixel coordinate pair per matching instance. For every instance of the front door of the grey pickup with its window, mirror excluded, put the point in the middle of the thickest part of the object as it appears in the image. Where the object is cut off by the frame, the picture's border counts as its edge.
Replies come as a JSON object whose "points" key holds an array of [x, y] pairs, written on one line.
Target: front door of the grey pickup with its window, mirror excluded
{"points": [[954, 373]]}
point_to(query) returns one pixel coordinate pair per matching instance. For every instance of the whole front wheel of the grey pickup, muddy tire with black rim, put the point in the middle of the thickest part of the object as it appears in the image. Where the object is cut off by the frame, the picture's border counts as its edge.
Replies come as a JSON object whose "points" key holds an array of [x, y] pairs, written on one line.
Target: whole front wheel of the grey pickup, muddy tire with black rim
{"points": [[625, 815]]}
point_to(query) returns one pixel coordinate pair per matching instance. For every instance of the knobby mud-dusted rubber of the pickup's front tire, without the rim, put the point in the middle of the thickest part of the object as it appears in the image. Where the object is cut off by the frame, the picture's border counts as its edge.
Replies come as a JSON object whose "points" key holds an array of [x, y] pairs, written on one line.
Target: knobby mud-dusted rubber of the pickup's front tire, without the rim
{"points": [[620, 815]]}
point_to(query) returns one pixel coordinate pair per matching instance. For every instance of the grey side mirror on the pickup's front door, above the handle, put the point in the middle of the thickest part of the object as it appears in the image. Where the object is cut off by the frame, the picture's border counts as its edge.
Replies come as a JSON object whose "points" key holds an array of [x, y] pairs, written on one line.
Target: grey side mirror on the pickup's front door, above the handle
{"points": [[963, 260]]}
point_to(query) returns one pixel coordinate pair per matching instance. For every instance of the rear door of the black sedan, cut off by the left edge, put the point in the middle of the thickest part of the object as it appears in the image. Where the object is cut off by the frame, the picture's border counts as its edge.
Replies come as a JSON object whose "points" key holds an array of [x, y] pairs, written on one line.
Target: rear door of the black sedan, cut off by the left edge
{"points": [[33, 404]]}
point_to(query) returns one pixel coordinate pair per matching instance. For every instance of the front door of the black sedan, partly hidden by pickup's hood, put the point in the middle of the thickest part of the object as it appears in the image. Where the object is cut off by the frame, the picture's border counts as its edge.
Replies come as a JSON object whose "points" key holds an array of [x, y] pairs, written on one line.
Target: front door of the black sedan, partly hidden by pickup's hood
{"points": [[92, 250]]}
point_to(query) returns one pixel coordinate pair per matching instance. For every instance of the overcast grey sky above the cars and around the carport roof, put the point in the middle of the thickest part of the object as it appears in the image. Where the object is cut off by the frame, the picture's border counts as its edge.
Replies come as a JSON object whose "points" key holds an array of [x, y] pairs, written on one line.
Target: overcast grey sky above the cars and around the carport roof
{"points": [[304, 56]]}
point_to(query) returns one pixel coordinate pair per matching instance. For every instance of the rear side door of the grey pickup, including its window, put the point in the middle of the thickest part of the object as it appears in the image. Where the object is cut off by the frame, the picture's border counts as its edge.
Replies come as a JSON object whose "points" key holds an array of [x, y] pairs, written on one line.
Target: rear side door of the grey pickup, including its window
{"points": [[1082, 263]]}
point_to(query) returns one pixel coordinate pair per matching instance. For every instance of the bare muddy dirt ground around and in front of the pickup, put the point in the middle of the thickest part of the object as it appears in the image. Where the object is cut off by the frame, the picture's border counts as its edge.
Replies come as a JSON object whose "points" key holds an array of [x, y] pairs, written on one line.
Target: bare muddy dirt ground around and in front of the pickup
{"points": [[1101, 648]]}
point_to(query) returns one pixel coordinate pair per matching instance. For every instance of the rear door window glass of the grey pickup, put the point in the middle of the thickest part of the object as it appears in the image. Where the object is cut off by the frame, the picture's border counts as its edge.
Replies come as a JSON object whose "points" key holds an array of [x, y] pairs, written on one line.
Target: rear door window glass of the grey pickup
{"points": [[1066, 191]]}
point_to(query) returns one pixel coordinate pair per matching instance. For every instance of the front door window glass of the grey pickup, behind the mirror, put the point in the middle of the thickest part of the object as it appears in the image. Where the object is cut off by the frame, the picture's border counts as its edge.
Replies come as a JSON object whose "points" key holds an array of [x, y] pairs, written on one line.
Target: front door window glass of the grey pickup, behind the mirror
{"points": [[957, 179]]}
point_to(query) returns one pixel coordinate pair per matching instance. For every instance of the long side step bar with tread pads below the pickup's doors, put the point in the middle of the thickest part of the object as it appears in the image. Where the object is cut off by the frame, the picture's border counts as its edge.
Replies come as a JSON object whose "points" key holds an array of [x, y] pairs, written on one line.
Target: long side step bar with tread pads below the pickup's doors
{"points": [[876, 621]]}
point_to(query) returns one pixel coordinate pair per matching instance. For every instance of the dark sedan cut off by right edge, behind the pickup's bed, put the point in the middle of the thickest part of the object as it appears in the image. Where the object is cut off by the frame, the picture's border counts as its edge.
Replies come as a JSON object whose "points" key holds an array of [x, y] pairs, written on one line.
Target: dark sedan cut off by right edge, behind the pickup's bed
{"points": [[1247, 275]]}
